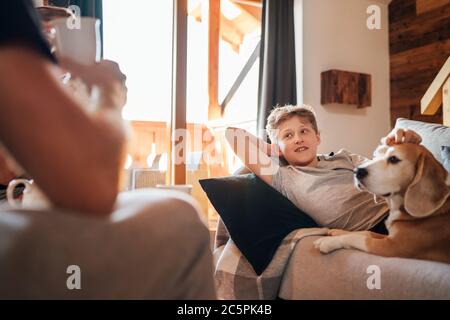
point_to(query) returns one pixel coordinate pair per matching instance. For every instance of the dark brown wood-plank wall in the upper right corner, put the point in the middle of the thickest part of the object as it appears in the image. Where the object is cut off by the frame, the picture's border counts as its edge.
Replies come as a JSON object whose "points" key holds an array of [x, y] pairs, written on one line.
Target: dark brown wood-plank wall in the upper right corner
{"points": [[419, 46]]}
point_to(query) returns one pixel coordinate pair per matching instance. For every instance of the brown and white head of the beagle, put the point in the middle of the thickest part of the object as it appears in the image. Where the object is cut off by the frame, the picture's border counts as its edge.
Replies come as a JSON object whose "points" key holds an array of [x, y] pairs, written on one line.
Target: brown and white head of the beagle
{"points": [[409, 170]]}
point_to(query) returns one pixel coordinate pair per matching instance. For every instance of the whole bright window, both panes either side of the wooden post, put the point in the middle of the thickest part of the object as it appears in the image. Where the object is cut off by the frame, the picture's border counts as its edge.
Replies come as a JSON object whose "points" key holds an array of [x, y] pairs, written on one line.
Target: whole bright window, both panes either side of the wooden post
{"points": [[139, 37]]}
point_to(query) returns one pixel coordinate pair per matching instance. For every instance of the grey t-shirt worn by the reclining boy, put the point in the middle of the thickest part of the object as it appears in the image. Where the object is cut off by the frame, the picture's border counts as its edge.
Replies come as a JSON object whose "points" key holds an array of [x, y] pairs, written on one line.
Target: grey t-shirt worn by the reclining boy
{"points": [[327, 193]]}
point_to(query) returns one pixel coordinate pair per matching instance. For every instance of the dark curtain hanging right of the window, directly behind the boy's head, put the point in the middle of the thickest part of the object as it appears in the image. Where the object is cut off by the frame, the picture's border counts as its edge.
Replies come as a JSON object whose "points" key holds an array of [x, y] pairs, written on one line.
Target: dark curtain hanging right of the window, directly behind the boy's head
{"points": [[277, 76]]}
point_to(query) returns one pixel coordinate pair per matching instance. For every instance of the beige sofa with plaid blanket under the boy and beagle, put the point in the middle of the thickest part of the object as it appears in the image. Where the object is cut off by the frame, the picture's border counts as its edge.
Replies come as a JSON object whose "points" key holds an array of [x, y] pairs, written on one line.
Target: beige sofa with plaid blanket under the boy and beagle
{"points": [[343, 274]]}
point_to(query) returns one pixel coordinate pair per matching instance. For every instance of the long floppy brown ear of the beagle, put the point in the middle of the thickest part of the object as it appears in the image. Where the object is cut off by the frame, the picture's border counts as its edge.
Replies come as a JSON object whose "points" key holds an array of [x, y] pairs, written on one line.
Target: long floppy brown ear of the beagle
{"points": [[428, 191]]}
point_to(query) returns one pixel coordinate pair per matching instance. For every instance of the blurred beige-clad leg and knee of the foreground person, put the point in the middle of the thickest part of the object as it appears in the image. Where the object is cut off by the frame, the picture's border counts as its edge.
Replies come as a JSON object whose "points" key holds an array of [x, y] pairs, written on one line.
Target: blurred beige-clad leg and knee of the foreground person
{"points": [[132, 254]]}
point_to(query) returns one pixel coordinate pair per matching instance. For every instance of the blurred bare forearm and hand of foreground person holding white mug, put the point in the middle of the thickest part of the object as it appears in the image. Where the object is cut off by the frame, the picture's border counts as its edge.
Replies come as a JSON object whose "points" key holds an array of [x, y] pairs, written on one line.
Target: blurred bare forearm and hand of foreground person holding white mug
{"points": [[97, 145]]}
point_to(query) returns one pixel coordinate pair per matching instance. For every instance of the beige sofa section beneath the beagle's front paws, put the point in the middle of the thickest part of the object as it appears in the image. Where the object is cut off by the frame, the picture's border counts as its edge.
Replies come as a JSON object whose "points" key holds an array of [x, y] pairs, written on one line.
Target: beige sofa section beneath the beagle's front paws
{"points": [[345, 274]]}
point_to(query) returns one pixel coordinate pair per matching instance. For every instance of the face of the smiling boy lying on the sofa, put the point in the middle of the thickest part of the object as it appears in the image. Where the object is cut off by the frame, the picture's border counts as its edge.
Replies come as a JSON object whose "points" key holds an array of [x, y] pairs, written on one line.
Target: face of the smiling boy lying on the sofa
{"points": [[298, 141]]}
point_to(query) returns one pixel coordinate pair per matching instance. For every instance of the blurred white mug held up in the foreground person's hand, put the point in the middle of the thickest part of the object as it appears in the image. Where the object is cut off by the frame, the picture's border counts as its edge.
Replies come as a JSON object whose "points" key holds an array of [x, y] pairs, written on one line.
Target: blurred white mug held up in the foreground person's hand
{"points": [[78, 39]]}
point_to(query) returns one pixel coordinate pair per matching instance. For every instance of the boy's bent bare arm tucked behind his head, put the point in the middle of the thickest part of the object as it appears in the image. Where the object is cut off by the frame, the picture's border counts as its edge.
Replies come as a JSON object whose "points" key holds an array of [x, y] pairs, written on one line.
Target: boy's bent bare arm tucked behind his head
{"points": [[253, 152]]}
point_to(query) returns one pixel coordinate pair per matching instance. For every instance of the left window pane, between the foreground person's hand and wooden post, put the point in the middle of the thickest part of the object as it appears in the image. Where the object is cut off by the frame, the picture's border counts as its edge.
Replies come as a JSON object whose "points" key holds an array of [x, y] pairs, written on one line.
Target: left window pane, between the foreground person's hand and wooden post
{"points": [[138, 35]]}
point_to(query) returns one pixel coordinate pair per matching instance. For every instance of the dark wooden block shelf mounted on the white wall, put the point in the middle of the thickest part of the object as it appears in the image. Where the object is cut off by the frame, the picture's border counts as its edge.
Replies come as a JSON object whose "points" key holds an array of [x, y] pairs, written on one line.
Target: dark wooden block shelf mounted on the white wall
{"points": [[345, 87]]}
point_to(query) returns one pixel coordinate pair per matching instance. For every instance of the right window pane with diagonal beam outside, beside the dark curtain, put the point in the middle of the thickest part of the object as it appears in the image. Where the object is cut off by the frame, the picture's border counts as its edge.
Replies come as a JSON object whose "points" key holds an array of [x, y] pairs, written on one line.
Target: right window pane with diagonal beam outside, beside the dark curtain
{"points": [[239, 35]]}
